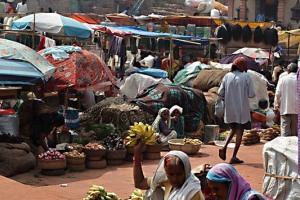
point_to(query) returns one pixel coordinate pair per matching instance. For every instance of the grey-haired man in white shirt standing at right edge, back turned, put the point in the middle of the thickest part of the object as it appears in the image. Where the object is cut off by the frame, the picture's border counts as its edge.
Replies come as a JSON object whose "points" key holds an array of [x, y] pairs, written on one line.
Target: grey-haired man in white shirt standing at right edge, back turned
{"points": [[286, 102]]}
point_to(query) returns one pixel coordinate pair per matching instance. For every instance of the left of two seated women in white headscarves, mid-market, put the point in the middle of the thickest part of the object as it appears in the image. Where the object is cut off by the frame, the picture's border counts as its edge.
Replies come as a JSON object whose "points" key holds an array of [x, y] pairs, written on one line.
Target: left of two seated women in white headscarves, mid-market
{"points": [[162, 125]]}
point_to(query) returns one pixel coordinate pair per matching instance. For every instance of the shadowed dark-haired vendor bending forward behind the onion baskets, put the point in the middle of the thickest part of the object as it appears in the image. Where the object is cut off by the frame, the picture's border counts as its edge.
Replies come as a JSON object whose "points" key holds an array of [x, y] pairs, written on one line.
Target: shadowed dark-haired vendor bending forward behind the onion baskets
{"points": [[45, 125]]}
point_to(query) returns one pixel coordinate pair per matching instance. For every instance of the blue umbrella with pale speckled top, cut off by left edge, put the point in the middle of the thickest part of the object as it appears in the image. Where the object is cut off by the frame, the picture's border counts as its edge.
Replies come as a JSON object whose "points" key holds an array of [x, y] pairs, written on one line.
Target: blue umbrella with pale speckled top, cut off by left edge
{"points": [[22, 65]]}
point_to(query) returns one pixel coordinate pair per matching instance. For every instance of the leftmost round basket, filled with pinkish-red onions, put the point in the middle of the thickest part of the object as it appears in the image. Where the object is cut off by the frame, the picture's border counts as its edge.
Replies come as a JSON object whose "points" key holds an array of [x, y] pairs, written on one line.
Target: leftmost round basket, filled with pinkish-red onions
{"points": [[52, 163]]}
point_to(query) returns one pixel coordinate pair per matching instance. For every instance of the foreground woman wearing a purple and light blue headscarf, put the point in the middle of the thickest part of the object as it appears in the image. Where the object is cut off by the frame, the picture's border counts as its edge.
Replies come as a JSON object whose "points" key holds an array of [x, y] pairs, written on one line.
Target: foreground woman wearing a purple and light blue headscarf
{"points": [[227, 183]]}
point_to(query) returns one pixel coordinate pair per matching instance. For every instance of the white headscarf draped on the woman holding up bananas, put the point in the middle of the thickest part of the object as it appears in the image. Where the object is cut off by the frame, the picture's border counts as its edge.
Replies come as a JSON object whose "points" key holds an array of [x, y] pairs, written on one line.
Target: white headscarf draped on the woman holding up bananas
{"points": [[189, 188]]}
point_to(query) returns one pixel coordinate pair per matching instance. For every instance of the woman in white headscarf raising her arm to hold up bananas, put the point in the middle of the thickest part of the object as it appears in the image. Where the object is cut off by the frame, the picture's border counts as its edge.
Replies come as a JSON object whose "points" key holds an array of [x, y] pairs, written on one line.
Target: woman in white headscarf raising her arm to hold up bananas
{"points": [[172, 179]]}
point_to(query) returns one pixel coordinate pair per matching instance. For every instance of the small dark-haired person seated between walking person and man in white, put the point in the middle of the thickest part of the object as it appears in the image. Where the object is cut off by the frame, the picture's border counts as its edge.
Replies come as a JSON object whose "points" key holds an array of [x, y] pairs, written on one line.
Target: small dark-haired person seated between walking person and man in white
{"points": [[259, 115]]}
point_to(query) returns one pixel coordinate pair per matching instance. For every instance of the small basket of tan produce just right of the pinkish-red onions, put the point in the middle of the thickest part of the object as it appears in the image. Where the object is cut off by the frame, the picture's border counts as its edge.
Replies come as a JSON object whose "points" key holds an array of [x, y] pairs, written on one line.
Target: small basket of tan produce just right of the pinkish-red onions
{"points": [[75, 160]]}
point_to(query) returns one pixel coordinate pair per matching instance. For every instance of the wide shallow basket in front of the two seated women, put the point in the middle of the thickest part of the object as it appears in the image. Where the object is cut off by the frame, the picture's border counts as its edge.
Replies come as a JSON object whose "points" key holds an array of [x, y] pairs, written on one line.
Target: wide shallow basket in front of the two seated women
{"points": [[188, 146]]}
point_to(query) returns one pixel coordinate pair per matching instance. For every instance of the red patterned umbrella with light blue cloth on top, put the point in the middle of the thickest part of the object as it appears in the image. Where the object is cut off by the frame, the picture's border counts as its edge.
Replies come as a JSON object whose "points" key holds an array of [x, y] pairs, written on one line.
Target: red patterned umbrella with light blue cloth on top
{"points": [[77, 68]]}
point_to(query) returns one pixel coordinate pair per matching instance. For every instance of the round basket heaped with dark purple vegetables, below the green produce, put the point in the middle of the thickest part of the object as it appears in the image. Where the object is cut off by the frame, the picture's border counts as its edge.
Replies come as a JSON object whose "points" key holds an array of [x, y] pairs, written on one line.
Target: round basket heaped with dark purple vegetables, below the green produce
{"points": [[116, 151]]}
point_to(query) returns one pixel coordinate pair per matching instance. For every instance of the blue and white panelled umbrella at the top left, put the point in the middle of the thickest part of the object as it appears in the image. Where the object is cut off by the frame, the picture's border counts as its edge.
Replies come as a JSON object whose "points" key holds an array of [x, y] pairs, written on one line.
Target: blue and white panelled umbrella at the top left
{"points": [[53, 23]]}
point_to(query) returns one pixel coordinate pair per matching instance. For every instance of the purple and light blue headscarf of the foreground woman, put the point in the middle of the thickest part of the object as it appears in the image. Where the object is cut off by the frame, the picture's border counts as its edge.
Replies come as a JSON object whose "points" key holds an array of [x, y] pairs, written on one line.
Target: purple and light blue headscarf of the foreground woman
{"points": [[227, 173]]}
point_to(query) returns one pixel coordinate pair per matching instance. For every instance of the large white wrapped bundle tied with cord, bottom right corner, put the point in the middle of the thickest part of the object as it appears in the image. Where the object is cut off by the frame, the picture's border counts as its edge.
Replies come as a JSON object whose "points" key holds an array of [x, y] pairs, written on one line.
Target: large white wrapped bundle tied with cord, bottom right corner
{"points": [[280, 159]]}
